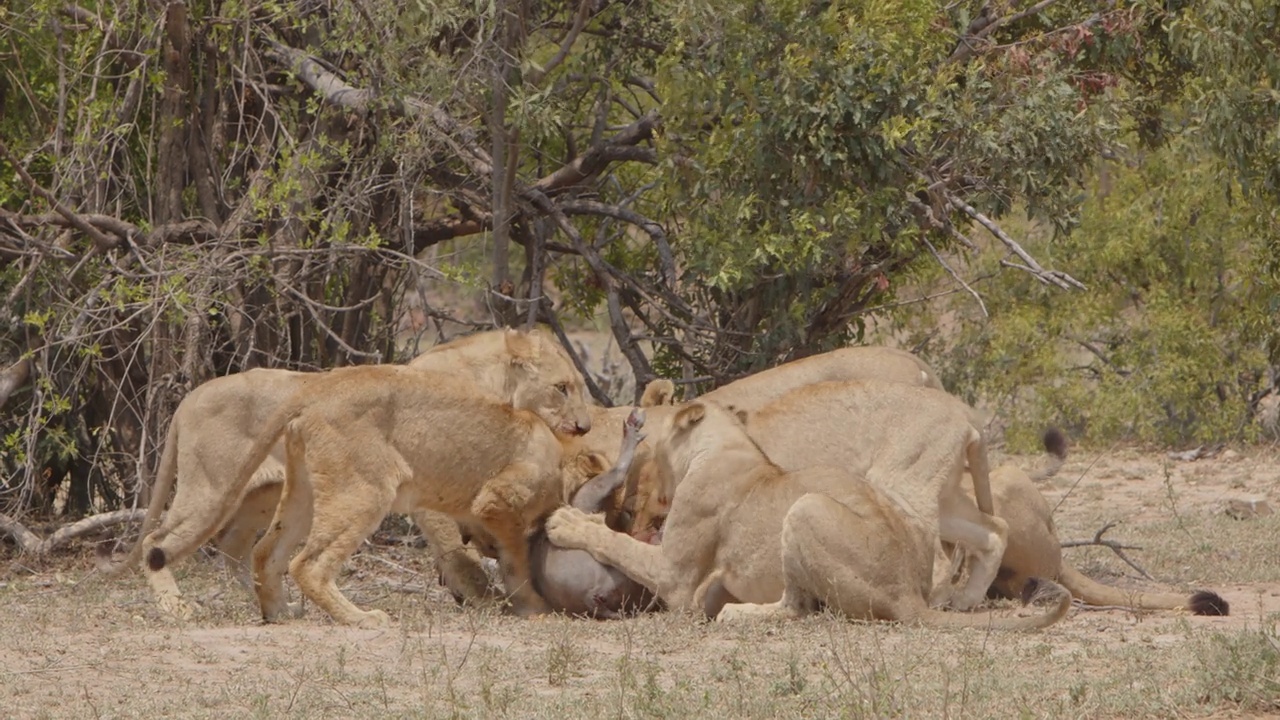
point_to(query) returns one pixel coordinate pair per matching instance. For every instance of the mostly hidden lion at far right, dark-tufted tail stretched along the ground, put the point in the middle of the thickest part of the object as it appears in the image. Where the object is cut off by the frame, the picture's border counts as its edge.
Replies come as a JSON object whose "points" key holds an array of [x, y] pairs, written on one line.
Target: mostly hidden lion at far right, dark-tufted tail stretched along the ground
{"points": [[1035, 550]]}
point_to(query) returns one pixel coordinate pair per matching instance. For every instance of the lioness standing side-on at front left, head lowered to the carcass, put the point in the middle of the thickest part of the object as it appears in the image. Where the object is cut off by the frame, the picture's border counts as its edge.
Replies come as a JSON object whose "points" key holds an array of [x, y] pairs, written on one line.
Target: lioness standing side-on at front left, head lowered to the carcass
{"points": [[367, 441]]}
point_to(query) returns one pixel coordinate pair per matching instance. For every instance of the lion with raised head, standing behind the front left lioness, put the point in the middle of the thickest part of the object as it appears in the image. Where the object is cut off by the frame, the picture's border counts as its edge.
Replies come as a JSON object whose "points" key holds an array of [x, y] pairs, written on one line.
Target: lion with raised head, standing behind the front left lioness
{"points": [[218, 422]]}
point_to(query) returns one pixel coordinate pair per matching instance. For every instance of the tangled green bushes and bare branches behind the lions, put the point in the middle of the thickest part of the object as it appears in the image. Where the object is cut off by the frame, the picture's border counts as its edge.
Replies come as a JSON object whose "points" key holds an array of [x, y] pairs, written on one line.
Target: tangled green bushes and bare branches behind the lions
{"points": [[195, 189]]}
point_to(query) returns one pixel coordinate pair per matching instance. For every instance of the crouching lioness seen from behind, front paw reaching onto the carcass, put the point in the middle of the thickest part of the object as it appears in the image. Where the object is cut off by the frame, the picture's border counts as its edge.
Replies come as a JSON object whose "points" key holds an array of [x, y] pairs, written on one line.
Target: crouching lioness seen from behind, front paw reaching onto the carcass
{"points": [[842, 541]]}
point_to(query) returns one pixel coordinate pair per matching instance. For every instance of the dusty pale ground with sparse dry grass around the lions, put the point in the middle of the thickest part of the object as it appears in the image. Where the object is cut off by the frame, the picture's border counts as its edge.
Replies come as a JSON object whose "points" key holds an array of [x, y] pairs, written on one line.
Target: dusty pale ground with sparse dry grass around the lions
{"points": [[75, 645]]}
